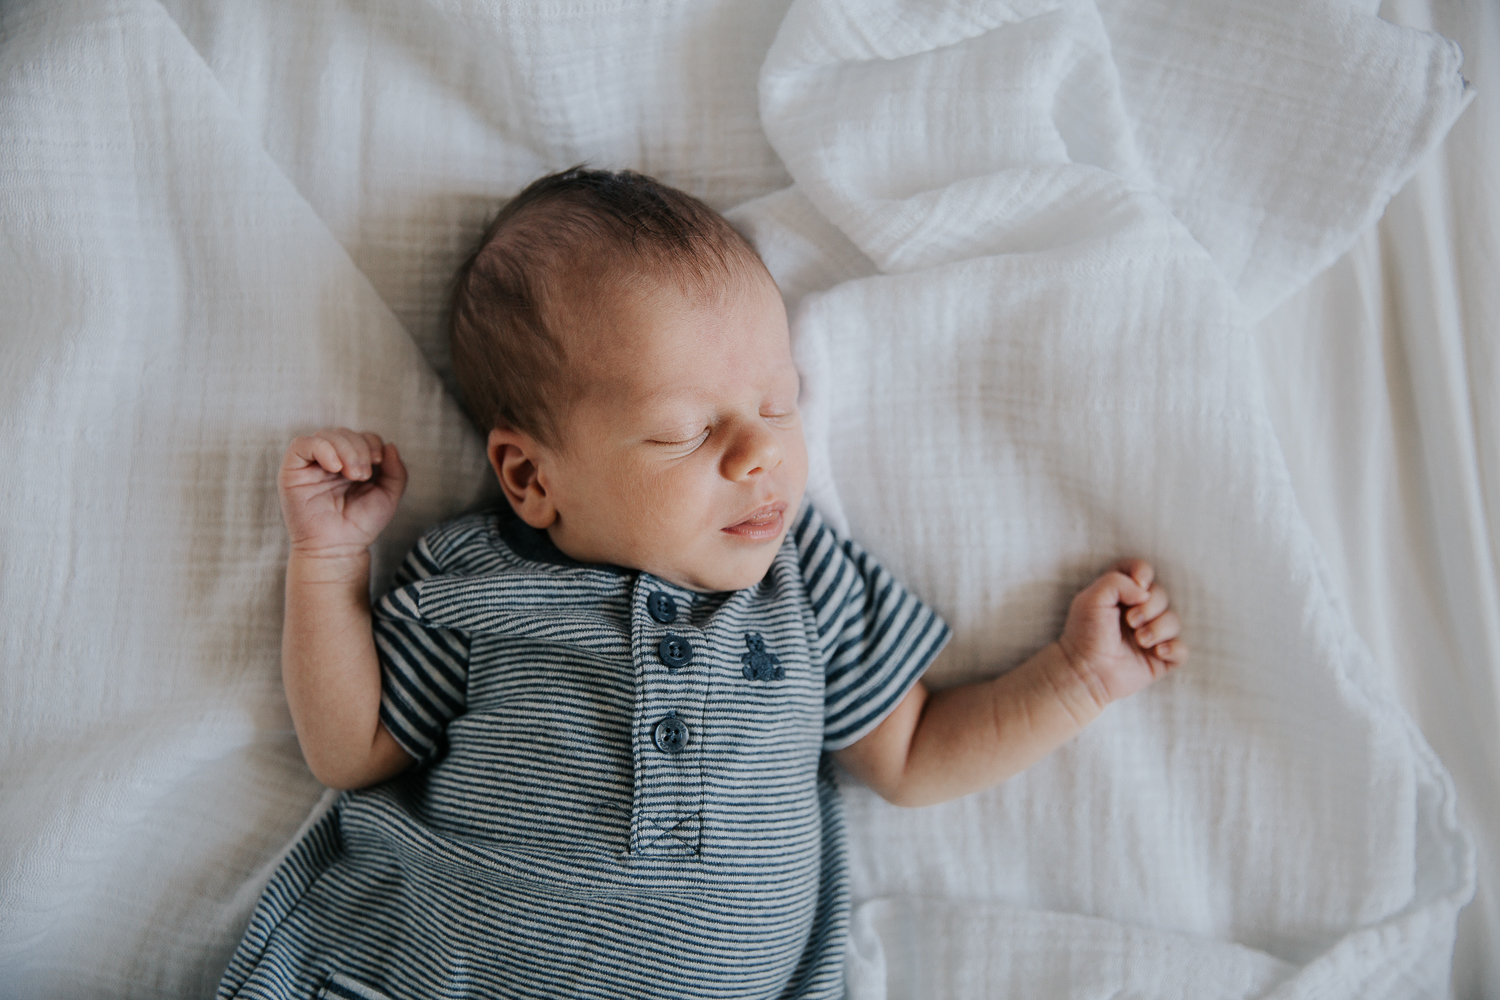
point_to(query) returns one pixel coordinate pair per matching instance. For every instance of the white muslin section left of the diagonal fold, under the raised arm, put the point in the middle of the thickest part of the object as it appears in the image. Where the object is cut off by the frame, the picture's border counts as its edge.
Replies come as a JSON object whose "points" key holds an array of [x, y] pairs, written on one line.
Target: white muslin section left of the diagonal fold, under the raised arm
{"points": [[173, 314]]}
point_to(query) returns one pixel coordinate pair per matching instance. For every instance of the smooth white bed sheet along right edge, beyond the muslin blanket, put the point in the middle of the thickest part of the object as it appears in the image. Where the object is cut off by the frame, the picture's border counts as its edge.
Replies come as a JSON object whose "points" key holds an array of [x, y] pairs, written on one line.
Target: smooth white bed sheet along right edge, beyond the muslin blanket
{"points": [[1384, 380]]}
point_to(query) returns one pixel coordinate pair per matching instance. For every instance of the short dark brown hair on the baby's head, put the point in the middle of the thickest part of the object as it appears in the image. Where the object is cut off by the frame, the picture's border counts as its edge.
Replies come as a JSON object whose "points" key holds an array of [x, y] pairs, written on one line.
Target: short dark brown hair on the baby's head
{"points": [[553, 253]]}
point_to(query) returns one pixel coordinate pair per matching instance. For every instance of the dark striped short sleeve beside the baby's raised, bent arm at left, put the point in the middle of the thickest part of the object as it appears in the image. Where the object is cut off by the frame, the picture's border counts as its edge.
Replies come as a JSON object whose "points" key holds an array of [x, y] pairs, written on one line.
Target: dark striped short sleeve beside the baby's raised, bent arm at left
{"points": [[424, 666]]}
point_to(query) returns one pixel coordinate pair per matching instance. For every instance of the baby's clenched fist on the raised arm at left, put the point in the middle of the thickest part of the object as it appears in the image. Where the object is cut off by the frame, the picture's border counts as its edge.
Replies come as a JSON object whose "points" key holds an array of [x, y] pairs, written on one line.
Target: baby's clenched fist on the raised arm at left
{"points": [[338, 491]]}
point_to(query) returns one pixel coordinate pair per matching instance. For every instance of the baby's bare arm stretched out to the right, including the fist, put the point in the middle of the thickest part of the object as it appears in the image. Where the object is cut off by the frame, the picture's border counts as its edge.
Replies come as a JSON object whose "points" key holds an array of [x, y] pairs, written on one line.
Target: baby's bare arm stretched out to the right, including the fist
{"points": [[1121, 635]]}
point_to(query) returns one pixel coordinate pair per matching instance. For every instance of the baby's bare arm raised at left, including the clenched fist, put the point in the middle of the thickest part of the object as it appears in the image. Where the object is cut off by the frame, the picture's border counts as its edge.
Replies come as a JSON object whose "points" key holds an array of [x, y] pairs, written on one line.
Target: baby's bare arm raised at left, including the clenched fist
{"points": [[338, 493]]}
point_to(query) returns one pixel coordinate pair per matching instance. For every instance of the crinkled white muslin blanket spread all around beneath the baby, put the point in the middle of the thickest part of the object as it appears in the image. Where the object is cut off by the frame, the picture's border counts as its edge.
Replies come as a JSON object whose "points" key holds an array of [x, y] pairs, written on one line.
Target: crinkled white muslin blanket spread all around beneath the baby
{"points": [[1022, 242]]}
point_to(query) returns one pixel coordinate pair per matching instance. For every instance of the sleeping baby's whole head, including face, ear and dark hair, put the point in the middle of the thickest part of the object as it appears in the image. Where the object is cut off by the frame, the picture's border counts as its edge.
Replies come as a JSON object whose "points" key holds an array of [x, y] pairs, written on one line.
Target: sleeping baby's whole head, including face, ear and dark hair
{"points": [[629, 356]]}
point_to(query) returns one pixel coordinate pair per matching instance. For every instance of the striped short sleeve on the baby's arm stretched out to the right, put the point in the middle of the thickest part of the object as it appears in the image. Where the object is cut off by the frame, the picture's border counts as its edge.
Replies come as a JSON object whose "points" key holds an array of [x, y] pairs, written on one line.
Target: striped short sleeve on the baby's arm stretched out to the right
{"points": [[877, 638]]}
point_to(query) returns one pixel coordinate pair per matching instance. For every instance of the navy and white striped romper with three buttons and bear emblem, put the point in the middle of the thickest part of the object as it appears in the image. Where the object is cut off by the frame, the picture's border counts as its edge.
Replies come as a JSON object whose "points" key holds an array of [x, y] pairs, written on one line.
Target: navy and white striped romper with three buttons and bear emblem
{"points": [[623, 785]]}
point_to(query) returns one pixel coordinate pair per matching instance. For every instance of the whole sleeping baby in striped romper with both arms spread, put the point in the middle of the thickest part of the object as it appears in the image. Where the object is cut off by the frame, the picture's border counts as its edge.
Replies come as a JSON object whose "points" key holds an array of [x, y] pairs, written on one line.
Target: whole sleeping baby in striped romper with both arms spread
{"points": [[589, 737]]}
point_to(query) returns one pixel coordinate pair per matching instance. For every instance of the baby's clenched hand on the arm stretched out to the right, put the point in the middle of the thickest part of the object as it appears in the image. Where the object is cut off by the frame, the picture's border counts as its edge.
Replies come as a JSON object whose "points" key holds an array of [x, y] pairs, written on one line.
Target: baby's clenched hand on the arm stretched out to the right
{"points": [[1121, 633]]}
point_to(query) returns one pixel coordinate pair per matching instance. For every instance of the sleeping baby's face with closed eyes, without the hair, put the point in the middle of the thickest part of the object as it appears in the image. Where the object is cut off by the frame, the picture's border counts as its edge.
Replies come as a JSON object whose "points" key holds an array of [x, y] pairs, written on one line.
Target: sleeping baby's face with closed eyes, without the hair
{"points": [[685, 457]]}
